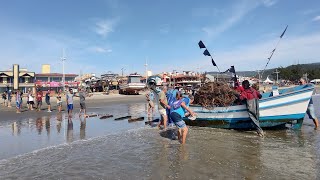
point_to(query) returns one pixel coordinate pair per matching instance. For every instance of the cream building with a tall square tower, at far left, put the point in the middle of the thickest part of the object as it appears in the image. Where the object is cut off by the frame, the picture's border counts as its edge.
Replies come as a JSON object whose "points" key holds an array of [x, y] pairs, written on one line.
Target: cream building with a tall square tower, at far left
{"points": [[16, 78]]}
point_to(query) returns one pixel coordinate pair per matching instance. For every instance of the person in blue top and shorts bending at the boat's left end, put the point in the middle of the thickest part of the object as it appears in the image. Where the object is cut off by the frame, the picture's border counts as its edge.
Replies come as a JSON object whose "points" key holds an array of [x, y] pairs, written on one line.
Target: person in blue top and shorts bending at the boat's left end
{"points": [[178, 112]]}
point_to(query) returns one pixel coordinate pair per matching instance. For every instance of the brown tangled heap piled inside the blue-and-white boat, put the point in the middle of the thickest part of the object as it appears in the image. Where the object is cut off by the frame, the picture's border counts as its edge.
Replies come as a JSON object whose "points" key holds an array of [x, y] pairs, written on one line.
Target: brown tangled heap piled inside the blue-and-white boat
{"points": [[215, 94]]}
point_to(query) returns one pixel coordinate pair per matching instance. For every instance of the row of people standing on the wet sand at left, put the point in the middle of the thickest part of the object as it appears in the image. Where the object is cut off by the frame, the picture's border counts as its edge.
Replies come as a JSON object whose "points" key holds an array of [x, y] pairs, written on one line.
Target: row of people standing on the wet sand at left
{"points": [[35, 100]]}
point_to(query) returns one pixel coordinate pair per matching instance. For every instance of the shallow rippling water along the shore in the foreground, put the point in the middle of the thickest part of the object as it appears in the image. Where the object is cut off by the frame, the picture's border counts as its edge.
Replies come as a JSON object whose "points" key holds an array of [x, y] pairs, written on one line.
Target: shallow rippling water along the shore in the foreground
{"points": [[93, 148]]}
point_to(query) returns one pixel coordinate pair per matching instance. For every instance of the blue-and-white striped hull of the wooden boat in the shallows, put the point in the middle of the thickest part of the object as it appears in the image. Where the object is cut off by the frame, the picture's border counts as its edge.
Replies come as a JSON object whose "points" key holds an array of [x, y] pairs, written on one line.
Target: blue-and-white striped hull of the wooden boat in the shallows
{"points": [[288, 107]]}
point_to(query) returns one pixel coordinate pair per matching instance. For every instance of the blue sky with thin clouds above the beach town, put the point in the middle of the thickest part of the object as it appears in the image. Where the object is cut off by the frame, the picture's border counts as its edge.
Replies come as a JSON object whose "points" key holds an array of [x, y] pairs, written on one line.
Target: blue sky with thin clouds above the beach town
{"points": [[107, 35]]}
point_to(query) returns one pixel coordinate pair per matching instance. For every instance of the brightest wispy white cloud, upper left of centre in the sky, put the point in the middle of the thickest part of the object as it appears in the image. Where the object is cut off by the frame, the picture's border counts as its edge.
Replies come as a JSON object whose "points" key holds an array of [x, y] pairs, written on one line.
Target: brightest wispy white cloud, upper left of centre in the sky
{"points": [[105, 27]]}
